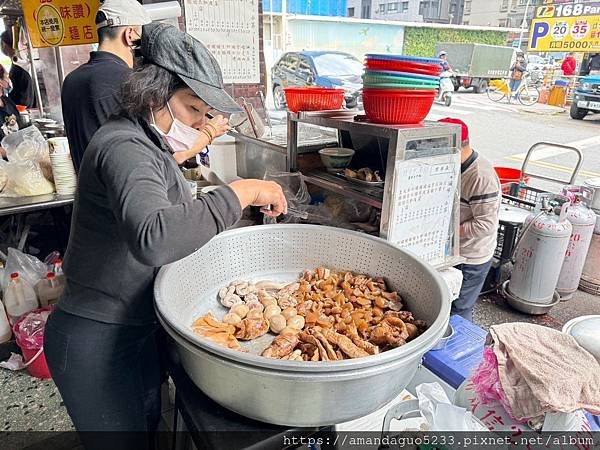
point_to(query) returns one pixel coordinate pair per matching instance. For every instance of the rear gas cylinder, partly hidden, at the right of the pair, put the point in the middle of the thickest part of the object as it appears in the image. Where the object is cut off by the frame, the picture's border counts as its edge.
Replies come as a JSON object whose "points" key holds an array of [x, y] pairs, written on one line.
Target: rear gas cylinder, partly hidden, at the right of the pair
{"points": [[583, 221]]}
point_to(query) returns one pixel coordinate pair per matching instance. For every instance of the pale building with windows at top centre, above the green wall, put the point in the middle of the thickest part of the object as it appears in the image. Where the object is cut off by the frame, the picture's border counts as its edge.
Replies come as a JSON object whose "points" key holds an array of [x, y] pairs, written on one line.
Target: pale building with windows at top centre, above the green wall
{"points": [[432, 11]]}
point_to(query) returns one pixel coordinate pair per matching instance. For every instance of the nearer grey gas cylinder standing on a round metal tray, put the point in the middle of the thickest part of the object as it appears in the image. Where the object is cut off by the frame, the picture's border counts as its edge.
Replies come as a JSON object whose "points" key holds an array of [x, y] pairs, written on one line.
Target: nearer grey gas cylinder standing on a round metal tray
{"points": [[539, 256]]}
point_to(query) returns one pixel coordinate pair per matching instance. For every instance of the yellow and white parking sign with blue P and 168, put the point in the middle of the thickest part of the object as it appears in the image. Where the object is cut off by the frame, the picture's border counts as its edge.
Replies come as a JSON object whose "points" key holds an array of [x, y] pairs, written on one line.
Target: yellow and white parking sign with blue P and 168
{"points": [[566, 27]]}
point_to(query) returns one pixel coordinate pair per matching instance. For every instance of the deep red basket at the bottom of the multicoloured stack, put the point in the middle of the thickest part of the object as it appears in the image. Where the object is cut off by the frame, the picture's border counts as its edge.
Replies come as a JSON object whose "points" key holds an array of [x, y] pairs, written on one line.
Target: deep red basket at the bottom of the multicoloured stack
{"points": [[385, 106]]}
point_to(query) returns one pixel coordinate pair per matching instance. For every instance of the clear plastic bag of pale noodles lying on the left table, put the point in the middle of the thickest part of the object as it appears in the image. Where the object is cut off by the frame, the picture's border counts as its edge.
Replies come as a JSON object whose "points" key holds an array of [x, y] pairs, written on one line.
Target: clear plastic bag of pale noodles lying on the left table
{"points": [[26, 179]]}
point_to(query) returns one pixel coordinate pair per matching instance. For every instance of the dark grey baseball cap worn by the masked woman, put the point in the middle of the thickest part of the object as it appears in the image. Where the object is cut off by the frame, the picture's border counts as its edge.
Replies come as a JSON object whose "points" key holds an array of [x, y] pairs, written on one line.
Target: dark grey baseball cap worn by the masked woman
{"points": [[178, 52]]}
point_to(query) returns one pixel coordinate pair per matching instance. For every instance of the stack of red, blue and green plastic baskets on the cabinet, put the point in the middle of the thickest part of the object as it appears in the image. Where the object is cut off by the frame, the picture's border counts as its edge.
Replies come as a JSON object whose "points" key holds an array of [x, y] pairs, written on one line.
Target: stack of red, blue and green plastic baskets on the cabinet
{"points": [[399, 89]]}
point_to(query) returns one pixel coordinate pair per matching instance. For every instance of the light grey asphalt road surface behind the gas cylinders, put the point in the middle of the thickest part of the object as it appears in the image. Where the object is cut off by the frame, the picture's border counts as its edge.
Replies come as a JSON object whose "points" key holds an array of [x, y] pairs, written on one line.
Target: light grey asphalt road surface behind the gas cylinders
{"points": [[503, 133]]}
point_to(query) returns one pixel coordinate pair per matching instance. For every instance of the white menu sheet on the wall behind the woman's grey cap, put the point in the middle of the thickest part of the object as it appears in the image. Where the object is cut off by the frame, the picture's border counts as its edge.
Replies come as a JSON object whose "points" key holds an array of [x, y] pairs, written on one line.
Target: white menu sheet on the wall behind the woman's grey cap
{"points": [[229, 28]]}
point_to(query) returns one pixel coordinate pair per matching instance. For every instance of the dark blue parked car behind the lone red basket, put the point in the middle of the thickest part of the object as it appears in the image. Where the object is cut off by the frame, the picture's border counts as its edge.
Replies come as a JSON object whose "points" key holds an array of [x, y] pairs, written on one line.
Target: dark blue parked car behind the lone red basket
{"points": [[317, 68]]}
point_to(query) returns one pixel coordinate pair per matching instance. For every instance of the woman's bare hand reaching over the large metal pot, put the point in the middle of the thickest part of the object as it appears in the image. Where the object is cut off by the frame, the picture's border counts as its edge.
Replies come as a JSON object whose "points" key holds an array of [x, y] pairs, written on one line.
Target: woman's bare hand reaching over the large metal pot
{"points": [[261, 193]]}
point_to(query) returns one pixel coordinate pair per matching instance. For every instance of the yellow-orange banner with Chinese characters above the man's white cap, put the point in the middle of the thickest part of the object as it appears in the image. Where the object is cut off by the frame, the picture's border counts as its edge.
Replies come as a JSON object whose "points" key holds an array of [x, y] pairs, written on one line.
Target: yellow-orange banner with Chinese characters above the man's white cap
{"points": [[52, 23]]}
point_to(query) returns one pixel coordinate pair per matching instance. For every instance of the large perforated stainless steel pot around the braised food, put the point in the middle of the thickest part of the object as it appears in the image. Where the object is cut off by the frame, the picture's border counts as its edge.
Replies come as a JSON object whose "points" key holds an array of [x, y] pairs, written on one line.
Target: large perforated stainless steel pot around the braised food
{"points": [[285, 392]]}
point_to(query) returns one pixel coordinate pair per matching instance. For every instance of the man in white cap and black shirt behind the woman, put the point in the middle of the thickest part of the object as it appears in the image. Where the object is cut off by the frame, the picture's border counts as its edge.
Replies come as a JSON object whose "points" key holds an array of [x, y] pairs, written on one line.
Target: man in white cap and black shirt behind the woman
{"points": [[90, 94]]}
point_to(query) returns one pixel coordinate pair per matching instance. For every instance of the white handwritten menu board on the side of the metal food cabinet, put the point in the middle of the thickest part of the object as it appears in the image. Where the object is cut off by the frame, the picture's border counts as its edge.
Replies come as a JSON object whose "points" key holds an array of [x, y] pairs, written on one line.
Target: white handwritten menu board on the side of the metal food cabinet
{"points": [[424, 192]]}
